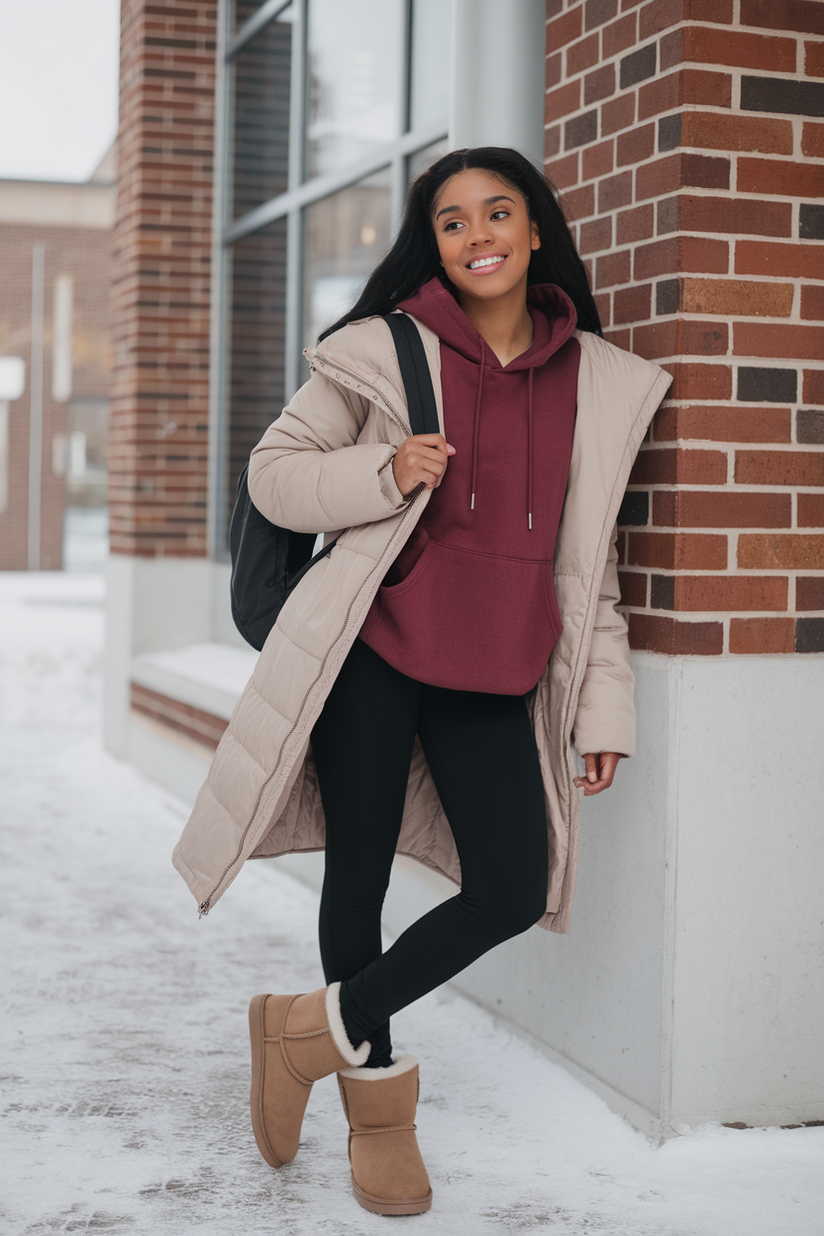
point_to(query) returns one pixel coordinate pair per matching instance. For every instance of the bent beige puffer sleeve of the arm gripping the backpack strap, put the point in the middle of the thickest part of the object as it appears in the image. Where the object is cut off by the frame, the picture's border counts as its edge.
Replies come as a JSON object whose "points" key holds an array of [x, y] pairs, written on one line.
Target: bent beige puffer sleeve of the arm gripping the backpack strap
{"points": [[309, 473]]}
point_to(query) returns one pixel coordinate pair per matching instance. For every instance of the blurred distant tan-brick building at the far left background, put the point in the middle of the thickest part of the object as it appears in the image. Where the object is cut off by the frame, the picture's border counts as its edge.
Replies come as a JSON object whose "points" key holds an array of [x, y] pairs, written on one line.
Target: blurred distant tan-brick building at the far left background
{"points": [[55, 353]]}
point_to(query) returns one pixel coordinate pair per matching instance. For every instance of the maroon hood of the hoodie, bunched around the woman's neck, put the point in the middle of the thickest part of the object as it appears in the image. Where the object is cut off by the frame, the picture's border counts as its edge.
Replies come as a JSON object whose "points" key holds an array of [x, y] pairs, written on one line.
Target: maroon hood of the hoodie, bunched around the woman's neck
{"points": [[553, 313]]}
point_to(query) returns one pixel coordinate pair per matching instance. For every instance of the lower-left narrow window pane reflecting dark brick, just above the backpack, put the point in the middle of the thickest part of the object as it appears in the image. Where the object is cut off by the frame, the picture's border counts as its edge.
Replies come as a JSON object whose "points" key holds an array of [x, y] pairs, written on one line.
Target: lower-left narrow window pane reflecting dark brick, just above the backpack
{"points": [[258, 353]]}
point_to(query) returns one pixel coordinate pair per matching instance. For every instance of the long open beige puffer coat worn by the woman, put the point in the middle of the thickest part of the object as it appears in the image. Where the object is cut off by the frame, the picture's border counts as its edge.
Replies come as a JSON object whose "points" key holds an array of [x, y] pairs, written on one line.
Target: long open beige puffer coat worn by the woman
{"points": [[326, 465]]}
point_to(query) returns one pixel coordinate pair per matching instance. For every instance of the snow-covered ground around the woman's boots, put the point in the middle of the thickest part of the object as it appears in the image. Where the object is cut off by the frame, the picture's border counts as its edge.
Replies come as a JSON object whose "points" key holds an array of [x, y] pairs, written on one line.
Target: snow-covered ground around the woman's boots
{"points": [[125, 1057]]}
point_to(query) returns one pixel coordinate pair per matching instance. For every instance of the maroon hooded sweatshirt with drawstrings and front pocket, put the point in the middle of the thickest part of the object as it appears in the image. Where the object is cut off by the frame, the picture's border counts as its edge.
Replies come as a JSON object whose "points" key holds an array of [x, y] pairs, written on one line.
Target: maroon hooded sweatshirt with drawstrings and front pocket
{"points": [[470, 603]]}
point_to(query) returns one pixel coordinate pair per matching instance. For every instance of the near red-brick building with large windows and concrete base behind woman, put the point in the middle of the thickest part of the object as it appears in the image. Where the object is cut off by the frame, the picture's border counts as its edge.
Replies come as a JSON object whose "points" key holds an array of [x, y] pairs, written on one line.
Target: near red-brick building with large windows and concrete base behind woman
{"points": [[265, 151]]}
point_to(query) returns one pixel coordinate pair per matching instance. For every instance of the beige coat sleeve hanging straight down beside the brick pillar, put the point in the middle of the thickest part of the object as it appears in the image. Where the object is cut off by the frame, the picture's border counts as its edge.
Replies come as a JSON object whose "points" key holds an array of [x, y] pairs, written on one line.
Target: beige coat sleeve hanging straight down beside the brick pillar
{"points": [[606, 716]]}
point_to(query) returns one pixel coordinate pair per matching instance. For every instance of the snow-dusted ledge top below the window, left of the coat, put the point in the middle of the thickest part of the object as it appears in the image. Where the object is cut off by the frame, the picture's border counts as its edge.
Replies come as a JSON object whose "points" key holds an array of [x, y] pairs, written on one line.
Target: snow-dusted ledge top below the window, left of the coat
{"points": [[208, 677]]}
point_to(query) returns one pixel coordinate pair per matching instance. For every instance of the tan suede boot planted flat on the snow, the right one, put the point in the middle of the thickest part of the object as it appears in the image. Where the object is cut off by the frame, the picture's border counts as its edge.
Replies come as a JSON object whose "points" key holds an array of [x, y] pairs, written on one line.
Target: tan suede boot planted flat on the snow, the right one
{"points": [[389, 1174]]}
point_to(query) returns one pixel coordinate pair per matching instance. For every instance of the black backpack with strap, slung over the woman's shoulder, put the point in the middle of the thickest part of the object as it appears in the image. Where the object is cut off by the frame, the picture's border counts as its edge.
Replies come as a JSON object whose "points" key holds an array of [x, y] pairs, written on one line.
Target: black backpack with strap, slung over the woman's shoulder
{"points": [[269, 563]]}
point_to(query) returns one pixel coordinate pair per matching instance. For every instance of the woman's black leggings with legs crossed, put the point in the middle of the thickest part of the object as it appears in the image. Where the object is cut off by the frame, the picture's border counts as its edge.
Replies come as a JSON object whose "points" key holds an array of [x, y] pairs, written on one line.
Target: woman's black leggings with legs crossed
{"points": [[482, 756]]}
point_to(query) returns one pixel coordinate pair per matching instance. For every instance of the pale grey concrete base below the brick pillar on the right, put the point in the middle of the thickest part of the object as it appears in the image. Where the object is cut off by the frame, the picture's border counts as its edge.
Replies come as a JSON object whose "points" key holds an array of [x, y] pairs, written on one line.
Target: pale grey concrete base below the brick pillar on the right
{"points": [[691, 988]]}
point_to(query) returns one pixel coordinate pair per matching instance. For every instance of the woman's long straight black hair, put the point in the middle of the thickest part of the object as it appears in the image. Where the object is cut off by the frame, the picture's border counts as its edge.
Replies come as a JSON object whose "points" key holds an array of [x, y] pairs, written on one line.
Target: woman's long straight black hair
{"points": [[414, 259]]}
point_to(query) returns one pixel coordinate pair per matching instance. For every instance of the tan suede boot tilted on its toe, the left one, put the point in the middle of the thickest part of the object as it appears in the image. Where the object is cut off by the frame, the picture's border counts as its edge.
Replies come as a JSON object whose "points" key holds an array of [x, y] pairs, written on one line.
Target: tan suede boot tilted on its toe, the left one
{"points": [[296, 1041]]}
